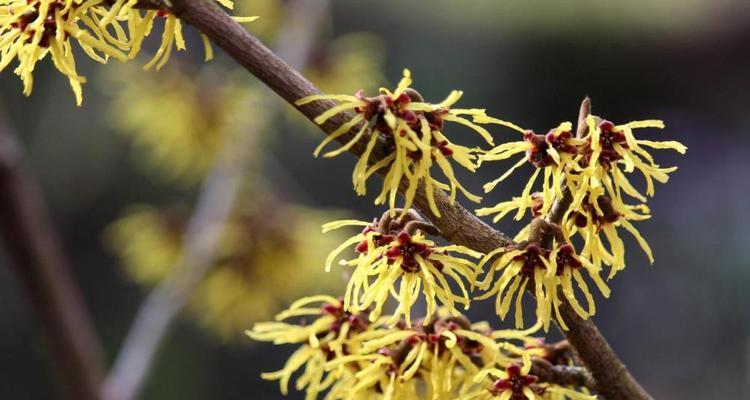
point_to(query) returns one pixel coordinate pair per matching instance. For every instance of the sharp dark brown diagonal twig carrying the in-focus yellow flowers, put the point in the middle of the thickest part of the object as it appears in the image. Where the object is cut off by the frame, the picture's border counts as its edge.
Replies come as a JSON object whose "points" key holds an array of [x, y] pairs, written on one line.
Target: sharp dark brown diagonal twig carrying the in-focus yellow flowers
{"points": [[457, 224]]}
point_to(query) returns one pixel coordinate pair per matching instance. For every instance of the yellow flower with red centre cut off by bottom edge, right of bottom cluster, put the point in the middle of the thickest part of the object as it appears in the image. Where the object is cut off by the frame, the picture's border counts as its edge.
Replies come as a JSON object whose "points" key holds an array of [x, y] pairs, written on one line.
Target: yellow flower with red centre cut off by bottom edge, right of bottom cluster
{"points": [[516, 383]]}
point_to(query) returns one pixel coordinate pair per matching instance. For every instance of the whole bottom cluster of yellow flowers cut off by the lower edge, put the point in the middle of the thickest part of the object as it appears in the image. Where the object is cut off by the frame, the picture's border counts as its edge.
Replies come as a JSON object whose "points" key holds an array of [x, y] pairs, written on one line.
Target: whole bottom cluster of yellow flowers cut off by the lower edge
{"points": [[351, 356]]}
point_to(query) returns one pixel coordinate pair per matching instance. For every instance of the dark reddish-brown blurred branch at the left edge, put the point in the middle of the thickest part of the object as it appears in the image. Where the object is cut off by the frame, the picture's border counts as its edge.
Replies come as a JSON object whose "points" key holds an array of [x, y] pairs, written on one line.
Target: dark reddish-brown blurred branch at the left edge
{"points": [[38, 260]]}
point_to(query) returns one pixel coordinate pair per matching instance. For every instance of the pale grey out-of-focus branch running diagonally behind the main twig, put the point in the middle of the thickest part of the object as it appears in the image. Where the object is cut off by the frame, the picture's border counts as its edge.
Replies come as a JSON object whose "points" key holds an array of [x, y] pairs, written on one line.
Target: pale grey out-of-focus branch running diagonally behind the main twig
{"points": [[218, 195]]}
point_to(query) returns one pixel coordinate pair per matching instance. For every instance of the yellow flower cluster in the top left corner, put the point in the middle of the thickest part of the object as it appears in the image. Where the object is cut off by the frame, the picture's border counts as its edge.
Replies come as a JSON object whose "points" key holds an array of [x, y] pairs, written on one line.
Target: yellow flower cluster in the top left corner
{"points": [[31, 29]]}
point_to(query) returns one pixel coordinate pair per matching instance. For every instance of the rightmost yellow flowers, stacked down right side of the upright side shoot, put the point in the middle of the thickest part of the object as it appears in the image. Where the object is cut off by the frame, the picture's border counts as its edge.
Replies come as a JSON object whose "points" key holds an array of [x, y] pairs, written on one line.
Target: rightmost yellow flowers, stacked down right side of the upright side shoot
{"points": [[599, 204]]}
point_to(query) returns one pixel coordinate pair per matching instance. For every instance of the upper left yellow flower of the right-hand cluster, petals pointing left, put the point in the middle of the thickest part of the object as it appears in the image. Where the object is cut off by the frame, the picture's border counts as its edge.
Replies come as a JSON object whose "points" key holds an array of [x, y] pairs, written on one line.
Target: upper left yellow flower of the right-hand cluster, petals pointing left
{"points": [[555, 153]]}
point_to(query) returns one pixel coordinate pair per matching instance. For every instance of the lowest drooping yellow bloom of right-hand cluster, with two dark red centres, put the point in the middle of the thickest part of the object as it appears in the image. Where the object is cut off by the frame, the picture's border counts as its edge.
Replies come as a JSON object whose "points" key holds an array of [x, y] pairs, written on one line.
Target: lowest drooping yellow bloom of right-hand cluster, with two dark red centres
{"points": [[548, 272]]}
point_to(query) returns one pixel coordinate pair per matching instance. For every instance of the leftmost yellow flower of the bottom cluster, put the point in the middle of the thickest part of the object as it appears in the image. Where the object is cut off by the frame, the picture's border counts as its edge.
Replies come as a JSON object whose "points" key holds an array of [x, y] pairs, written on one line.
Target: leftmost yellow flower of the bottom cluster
{"points": [[332, 334]]}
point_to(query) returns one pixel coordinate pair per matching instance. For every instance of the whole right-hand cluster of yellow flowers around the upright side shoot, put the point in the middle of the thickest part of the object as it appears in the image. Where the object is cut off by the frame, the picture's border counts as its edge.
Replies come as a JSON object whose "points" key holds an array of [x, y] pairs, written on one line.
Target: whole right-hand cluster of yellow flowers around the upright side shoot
{"points": [[590, 170]]}
